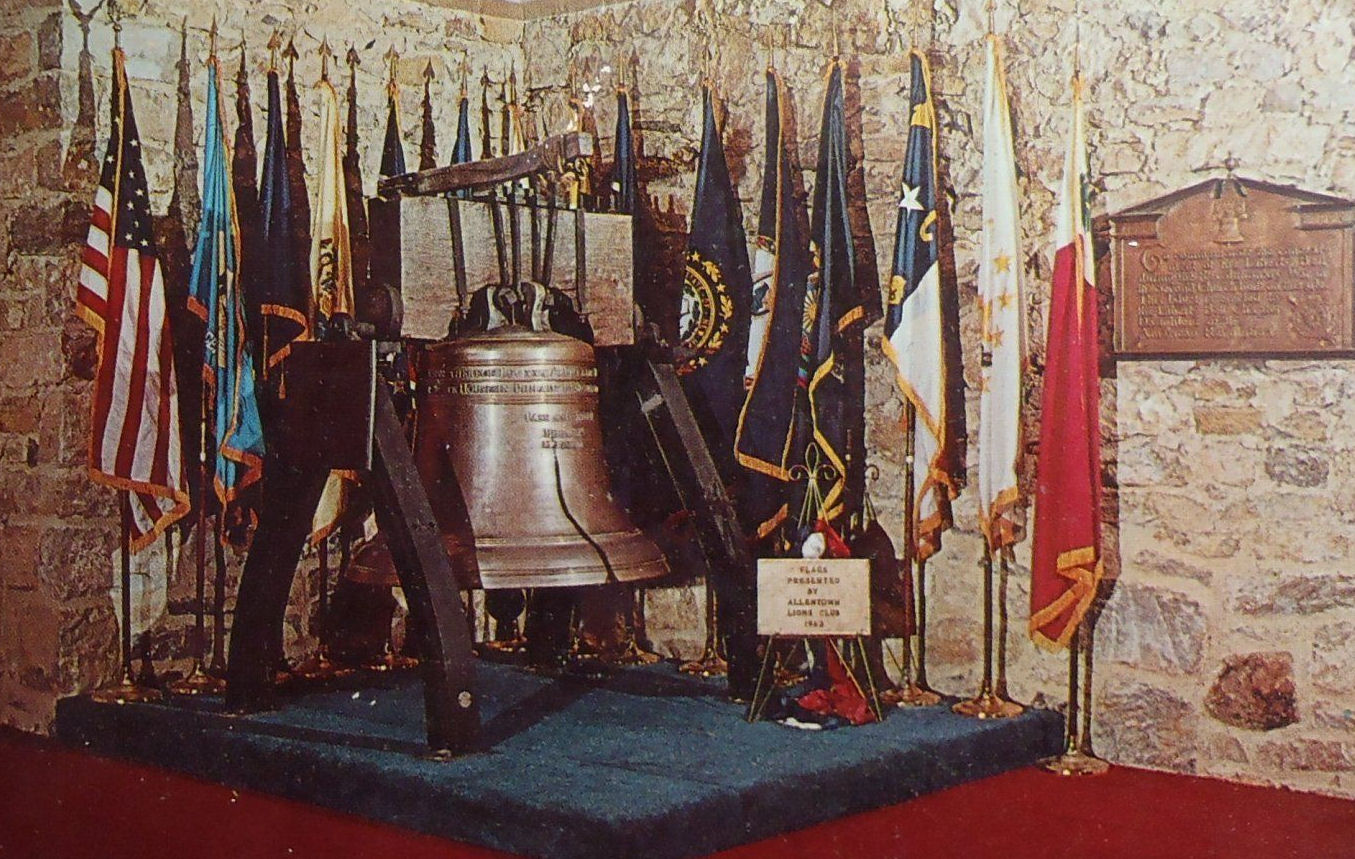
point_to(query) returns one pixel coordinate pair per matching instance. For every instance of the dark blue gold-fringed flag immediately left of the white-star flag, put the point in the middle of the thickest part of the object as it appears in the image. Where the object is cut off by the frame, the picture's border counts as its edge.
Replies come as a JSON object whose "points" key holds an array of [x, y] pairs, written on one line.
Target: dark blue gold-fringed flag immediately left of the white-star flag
{"points": [[834, 314]]}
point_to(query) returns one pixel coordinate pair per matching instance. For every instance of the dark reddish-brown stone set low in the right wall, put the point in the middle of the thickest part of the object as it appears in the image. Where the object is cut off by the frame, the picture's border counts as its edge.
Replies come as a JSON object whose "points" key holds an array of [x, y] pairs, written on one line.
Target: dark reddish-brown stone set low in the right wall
{"points": [[1255, 692]]}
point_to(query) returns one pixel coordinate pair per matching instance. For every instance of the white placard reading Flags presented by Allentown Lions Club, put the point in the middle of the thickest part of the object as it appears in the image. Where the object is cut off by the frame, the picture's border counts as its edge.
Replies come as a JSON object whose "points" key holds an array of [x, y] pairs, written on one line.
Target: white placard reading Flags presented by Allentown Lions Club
{"points": [[814, 597]]}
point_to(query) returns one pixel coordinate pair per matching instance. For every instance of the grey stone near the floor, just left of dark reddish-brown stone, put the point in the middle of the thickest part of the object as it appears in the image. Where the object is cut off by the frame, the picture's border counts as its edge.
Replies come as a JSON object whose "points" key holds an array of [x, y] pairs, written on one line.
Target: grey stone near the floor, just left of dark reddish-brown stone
{"points": [[1146, 726]]}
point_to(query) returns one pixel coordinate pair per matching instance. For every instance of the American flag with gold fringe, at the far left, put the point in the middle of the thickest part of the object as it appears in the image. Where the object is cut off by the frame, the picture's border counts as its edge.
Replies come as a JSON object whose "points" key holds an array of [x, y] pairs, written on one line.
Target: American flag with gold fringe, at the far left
{"points": [[135, 441]]}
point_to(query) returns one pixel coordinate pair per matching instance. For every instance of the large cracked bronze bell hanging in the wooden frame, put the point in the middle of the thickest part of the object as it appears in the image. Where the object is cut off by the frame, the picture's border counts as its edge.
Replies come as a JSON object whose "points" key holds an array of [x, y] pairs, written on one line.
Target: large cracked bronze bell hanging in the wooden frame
{"points": [[514, 413]]}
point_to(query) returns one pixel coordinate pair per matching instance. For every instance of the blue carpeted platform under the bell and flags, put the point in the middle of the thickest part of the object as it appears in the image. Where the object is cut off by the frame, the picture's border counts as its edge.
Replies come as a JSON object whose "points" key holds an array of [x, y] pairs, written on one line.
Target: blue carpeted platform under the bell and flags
{"points": [[647, 763]]}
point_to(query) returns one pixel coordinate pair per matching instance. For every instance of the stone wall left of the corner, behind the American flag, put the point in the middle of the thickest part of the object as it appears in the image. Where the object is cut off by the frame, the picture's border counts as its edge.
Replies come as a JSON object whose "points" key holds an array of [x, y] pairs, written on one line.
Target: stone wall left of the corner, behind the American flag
{"points": [[59, 530]]}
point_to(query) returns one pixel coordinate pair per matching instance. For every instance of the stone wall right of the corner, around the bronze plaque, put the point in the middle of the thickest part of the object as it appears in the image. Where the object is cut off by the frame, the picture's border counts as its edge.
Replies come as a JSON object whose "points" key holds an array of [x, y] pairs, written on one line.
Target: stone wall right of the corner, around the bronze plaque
{"points": [[1230, 486]]}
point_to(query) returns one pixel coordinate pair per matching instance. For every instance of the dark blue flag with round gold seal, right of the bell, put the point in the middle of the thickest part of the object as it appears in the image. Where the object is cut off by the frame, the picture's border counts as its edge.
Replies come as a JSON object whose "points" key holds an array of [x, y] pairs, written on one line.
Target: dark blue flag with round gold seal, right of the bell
{"points": [[717, 289]]}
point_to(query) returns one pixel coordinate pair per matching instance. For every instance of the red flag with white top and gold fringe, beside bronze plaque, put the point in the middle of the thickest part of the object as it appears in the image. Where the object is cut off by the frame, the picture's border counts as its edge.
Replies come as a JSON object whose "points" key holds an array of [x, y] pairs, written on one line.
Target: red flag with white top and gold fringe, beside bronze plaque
{"points": [[1066, 558]]}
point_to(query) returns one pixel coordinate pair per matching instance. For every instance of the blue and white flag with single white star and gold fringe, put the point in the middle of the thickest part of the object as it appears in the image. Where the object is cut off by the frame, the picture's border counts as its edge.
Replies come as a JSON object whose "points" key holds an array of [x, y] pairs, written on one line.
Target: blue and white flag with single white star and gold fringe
{"points": [[915, 337]]}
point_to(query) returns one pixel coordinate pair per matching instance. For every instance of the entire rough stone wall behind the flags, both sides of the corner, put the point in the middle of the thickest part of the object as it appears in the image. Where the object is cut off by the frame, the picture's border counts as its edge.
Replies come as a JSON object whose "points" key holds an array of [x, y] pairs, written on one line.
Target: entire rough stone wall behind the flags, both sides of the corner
{"points": [[1231, 525]]}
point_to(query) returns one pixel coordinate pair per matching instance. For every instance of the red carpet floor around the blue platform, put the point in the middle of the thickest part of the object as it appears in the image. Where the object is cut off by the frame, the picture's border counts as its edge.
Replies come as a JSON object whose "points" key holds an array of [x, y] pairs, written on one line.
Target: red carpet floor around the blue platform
{"points": [[62, 804]]}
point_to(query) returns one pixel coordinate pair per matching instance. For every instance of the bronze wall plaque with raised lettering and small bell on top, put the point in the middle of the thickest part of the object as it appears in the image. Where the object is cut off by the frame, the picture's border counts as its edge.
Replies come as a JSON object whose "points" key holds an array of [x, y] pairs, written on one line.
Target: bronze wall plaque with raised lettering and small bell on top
{"points": [[1235, 268]]}
